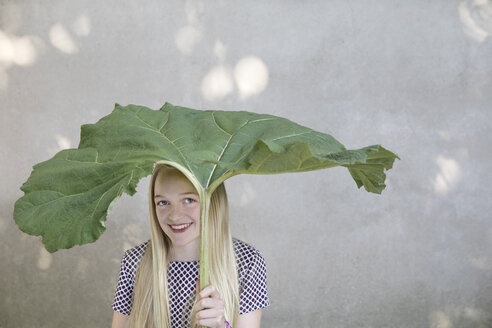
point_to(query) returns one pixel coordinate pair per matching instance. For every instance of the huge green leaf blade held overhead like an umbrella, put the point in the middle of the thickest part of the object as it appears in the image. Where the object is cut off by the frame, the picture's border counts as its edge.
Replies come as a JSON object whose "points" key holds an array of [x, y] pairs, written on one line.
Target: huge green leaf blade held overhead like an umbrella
{"points": [[67, 198]]}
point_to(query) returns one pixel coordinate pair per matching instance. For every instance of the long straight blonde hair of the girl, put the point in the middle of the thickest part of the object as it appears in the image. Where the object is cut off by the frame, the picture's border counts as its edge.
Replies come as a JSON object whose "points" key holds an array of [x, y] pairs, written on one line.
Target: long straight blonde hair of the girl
{"points": [[151, 298]]}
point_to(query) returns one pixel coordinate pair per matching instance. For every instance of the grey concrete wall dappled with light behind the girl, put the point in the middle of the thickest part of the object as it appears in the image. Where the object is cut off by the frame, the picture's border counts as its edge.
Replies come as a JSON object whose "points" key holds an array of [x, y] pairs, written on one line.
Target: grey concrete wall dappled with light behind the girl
{"points": [[415, 76]]}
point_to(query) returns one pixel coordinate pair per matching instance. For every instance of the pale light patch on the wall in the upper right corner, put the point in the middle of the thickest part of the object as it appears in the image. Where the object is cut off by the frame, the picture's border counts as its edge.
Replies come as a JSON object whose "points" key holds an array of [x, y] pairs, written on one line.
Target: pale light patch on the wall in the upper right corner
{"points": [[476, 17]]}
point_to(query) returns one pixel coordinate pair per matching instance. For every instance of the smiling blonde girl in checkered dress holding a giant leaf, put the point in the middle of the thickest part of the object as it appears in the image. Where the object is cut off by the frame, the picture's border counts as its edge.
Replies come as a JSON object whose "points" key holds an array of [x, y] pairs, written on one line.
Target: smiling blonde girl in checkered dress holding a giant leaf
{"points": [[158, 279]]}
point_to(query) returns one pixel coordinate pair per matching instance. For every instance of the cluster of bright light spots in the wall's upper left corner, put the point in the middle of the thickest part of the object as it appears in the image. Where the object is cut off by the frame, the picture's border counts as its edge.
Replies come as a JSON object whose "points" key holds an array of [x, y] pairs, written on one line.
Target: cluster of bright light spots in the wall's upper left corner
{"points": [[25, 50]]}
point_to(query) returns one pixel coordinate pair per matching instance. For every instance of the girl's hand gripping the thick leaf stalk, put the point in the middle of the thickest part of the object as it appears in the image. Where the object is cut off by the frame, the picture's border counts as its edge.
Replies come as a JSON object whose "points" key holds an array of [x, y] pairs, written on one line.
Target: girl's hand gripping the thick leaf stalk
{"points": [[210, 308]]}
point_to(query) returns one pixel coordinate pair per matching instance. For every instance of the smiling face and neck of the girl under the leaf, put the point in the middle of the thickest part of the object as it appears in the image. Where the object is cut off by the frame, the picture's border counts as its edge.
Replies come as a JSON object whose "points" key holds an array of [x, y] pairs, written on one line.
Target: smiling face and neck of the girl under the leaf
{"points": [[177, 206]]}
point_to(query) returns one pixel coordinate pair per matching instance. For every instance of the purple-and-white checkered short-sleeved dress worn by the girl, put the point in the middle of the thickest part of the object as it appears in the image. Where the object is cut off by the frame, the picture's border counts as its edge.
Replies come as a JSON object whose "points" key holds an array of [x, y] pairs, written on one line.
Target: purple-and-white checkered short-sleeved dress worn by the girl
{"points": [[182, 277]]}
